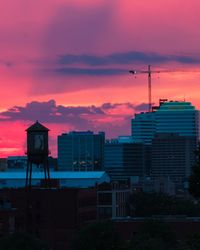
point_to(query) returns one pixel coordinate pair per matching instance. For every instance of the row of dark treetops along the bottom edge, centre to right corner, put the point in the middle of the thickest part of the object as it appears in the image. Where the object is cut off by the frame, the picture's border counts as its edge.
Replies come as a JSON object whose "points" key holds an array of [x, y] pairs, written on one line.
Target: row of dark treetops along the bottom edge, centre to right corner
{"points": [[151, 235]]}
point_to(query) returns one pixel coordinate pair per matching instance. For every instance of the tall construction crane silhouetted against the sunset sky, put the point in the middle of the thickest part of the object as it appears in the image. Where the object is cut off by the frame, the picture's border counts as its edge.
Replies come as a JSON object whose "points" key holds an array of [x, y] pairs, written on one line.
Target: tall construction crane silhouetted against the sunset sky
{"points": [[149, 72]]}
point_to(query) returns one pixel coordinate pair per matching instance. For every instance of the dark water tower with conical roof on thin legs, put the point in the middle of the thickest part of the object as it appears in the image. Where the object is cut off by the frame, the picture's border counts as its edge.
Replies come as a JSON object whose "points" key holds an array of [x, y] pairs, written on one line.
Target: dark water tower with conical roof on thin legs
{"points": [[37, 151]]}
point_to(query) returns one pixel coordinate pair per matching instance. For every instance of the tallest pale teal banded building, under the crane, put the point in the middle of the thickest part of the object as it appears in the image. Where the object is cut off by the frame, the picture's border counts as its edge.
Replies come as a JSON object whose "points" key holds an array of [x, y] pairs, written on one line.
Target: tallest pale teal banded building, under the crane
{"points": [[169, 117]]}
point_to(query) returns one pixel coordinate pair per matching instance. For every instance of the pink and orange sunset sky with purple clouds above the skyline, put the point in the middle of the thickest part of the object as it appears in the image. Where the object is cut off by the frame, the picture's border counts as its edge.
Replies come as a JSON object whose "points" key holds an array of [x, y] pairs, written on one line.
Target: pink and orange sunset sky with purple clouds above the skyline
{"points": [[66, 63]]}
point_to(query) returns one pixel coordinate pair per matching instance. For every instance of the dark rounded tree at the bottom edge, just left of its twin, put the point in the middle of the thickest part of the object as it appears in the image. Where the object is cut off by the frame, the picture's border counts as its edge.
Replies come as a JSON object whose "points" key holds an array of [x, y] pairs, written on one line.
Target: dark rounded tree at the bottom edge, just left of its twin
{"points": [[98, 236]]}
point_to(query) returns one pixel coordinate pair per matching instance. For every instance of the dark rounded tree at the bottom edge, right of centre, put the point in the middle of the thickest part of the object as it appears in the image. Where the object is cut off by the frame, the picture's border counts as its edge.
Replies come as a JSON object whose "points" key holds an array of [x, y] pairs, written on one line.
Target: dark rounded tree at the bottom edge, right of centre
{"points": [[153, 234]]}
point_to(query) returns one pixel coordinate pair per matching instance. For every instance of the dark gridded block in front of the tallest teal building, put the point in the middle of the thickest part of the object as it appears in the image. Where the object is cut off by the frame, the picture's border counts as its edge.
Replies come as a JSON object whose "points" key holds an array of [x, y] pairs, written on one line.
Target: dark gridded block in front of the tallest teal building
{"points": [[173, 156]]}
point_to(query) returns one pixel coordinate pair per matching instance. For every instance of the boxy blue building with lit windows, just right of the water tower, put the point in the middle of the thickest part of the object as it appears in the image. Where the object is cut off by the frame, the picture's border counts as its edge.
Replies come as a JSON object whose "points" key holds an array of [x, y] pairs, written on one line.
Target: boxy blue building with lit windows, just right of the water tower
{"points": [[81, 151]]}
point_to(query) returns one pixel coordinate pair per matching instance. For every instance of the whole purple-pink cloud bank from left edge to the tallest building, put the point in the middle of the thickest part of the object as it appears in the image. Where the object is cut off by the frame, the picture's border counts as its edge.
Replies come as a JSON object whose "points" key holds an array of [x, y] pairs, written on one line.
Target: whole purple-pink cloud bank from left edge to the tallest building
{"points": [[113, 118]]}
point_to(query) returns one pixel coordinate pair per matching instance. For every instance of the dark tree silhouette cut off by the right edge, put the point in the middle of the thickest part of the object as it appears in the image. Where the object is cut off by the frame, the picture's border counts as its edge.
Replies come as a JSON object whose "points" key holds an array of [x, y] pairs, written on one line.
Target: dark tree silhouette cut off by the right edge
{"points": [[194, 180]]}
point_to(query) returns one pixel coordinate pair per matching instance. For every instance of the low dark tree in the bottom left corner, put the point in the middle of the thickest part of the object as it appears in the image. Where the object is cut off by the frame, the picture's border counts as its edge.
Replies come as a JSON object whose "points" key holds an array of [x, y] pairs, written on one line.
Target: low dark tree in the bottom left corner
{"points": [[22, 241]]}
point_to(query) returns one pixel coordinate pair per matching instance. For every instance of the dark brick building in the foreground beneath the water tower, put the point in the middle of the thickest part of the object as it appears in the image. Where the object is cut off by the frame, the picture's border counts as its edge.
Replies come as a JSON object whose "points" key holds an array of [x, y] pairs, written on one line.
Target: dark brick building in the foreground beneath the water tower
{"points": [[53, 215]]}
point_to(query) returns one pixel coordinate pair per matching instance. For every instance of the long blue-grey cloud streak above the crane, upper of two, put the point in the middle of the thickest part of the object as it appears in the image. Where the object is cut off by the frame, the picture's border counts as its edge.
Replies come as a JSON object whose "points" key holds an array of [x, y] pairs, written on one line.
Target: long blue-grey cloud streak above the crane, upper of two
{"points": [[125, 58]]}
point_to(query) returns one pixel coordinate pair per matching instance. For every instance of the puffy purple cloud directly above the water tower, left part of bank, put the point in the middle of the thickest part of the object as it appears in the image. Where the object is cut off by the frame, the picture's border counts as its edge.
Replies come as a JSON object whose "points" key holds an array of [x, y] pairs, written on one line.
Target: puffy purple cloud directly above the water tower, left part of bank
{"points": [[51, 113]]}
